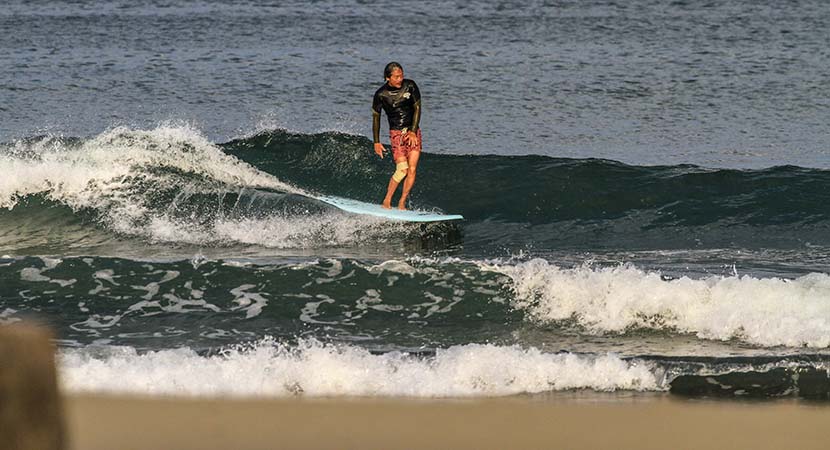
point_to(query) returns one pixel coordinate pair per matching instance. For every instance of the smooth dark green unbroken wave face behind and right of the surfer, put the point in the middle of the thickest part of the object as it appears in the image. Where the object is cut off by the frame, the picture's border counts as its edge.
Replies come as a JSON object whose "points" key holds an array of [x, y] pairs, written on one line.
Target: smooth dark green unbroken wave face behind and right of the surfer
{"points": [[569, 202]]}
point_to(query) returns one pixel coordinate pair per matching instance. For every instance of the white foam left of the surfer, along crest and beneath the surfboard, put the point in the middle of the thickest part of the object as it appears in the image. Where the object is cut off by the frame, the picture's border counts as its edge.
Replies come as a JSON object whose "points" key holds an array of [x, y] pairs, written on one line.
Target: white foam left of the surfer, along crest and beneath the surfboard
{"points": [[116, 174]]}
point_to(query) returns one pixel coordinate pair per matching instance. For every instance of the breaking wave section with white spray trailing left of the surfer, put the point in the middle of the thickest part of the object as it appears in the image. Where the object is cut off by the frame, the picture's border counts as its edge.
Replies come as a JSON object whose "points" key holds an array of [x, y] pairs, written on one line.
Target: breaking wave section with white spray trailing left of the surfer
{"points": [[168, 184]]}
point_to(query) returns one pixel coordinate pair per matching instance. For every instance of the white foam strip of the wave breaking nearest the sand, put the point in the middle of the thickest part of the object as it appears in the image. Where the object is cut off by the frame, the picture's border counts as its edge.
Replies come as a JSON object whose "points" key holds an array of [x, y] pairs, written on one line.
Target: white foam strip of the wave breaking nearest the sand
{"points": [[314, 369]]}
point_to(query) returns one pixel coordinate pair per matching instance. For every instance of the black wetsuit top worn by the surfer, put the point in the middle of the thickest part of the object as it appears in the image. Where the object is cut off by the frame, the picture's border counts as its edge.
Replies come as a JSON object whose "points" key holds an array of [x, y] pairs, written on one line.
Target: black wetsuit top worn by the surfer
{"points": [[402, 106]]}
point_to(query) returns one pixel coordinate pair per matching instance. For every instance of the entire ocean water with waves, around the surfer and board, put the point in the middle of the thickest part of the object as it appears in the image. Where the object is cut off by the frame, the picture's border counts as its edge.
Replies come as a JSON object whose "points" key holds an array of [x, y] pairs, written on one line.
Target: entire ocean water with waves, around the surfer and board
{"points": [[646, 188]]}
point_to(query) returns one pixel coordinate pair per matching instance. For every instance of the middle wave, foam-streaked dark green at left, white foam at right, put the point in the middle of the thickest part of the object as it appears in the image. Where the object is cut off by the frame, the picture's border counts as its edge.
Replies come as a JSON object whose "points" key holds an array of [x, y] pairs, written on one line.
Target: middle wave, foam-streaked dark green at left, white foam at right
{"points": [[204, 303]]}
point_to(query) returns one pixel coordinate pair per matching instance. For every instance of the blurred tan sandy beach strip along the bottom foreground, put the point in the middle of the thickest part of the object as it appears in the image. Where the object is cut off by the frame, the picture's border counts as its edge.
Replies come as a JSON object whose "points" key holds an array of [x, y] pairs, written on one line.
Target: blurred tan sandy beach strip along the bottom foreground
{"points": [[650, 422]]}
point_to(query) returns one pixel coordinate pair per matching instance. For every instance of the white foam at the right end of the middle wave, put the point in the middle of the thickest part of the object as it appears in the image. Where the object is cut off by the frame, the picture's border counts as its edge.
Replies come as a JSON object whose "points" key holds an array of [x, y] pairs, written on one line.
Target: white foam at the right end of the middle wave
{"points": [[762, 311]]}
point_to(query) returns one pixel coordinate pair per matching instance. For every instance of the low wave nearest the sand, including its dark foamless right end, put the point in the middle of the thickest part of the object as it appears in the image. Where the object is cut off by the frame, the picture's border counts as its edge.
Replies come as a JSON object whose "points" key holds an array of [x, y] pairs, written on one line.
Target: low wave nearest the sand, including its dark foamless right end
{"points": [[310, 368]]}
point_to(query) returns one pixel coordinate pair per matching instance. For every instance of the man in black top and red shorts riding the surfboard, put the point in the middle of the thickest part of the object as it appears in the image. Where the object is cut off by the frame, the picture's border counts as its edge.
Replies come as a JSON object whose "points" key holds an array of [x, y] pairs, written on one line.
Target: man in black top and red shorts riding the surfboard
{"points": [[401, 100]]}
